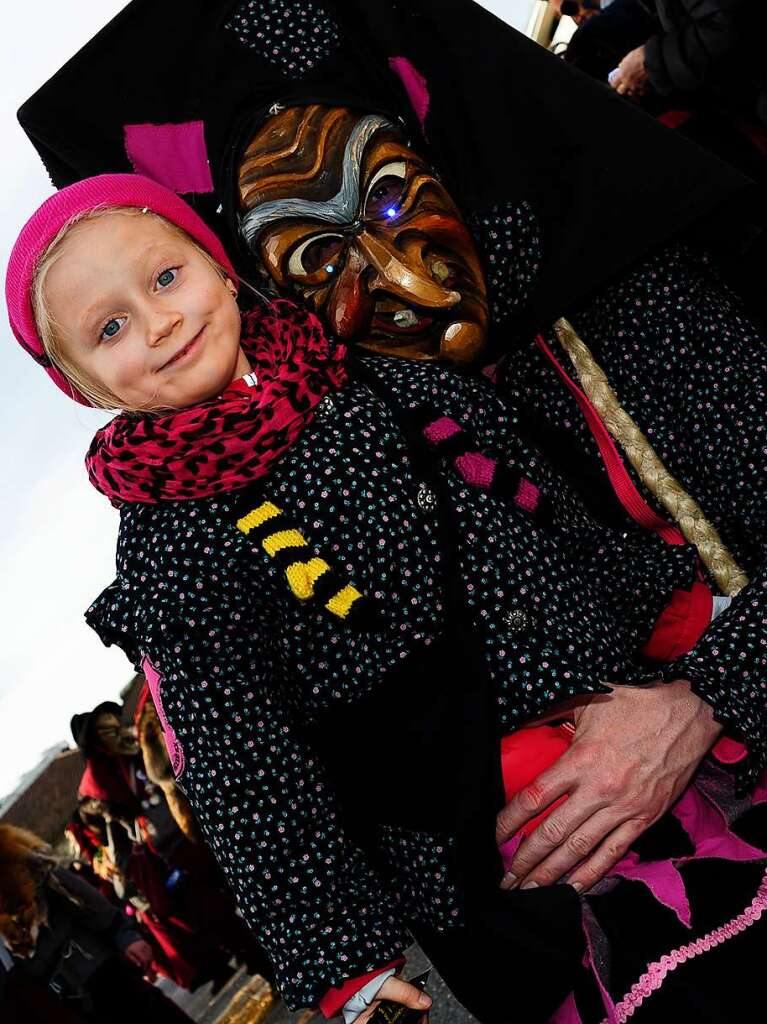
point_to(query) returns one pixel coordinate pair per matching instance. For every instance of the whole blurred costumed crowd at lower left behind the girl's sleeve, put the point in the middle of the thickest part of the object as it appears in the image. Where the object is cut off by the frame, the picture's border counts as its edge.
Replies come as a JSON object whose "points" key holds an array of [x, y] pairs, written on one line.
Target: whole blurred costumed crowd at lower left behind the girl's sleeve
{"points": [[139, 897]]}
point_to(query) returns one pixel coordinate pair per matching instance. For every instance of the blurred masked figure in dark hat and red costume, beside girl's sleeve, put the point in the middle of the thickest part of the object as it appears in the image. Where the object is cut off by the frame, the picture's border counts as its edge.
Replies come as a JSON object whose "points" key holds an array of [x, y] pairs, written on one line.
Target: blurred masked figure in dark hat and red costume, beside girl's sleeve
{"points": [[181, 898]]}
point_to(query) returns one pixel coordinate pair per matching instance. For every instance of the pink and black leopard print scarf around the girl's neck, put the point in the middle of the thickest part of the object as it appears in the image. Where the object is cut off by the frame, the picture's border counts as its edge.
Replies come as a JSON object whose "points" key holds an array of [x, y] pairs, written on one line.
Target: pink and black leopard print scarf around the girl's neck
{"points": [[227, 443]]}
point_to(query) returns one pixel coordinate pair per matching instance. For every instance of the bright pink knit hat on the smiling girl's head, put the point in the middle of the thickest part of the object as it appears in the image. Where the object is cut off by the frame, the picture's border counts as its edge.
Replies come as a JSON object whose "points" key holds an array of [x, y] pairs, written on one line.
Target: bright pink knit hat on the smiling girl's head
{"points": [[47, 223]]}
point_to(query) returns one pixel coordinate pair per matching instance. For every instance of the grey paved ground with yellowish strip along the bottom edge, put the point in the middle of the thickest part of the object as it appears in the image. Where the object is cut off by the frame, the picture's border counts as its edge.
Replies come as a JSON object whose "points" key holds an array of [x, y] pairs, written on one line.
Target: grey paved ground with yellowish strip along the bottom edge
{"points": [[245, 1001]]}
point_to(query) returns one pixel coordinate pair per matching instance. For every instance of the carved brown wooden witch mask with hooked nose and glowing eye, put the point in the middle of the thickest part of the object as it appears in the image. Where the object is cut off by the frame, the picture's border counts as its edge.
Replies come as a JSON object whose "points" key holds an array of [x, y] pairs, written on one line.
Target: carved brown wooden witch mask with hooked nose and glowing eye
{"points": [[343, 214]]}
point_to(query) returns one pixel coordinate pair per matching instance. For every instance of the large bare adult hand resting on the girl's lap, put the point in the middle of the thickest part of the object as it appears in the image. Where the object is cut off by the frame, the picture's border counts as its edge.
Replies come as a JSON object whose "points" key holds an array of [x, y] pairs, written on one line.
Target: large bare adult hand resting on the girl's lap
{"points": [[633, 754]]}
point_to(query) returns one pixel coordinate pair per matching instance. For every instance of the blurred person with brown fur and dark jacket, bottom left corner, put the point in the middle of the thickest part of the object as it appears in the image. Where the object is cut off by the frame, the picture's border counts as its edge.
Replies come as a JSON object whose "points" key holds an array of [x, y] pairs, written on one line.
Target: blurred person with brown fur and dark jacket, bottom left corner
{"points": [[62, 935]]}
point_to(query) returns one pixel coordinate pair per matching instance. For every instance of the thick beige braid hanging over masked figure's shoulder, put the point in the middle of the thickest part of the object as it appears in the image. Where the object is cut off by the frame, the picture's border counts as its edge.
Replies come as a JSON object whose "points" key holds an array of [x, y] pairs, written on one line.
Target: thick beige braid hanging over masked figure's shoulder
{"points": [[669, 492]]}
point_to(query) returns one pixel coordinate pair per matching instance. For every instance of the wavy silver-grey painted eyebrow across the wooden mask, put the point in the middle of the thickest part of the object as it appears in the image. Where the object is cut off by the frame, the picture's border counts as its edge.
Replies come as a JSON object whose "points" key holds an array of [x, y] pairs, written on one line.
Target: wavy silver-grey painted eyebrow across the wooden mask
{"points": [[342, 209]]}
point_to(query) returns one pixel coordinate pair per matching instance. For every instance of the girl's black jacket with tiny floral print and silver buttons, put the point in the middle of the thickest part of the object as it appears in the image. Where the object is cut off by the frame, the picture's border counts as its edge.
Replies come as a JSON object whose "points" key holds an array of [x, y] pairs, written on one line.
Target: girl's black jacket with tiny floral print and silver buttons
{"points": [[343, 775]]}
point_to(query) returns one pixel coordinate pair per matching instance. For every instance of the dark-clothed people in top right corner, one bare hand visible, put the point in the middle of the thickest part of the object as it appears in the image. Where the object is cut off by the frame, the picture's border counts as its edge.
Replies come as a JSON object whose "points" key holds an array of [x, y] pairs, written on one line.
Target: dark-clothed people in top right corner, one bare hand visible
{"points": [[697, 65]]}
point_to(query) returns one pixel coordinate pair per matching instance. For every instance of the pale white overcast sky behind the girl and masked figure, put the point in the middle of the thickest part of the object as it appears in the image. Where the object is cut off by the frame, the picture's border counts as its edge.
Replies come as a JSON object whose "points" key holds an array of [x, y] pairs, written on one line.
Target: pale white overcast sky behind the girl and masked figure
{"points": [[57, 533]]}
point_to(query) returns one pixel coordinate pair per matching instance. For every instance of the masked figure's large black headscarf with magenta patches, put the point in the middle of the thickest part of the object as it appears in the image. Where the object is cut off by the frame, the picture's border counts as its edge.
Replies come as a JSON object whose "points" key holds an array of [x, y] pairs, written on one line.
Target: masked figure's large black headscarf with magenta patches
{"points": [[174, 89]]}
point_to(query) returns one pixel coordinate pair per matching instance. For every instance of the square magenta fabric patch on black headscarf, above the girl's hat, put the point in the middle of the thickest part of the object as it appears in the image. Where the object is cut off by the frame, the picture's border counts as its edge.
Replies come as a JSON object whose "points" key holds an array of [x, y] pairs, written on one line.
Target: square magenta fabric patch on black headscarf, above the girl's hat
{"points": [[175, 155]]}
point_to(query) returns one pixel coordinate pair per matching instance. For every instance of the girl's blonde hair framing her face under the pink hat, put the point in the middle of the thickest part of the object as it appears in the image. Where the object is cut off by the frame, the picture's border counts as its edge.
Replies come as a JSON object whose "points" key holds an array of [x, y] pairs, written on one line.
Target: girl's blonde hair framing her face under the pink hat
{"points": [[50, 332]]}
